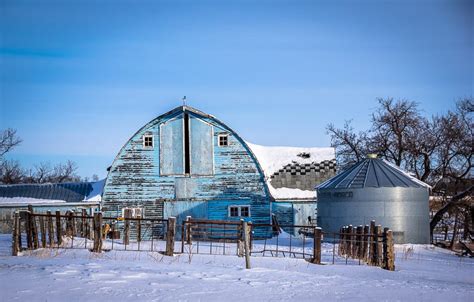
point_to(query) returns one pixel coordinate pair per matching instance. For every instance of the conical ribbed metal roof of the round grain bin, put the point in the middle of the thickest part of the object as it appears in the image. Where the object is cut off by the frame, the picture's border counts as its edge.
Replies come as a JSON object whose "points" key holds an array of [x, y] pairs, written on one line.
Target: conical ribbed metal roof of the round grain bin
{"points": [[374, 173]]}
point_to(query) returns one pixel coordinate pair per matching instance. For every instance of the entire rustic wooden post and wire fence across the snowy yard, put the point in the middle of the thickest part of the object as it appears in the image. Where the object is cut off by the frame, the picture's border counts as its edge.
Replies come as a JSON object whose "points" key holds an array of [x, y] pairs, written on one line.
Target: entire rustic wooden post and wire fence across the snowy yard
{"points": [[352, 245]]}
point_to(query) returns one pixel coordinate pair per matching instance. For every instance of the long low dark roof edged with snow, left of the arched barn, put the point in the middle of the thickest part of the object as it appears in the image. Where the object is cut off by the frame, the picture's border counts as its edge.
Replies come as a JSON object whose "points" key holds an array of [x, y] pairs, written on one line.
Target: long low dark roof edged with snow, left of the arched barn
{"points": [[51, 193]]}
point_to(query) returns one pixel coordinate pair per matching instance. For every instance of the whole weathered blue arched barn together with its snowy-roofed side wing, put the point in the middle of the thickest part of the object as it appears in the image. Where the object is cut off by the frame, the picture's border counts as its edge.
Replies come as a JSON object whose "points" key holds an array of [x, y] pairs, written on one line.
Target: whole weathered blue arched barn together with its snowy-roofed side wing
{"points": [[188, 163]]}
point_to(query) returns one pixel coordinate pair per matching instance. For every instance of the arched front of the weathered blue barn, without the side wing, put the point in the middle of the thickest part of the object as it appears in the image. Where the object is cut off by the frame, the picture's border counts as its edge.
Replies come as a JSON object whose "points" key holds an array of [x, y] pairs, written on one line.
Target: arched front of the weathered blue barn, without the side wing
{"points": [[186, 162]]}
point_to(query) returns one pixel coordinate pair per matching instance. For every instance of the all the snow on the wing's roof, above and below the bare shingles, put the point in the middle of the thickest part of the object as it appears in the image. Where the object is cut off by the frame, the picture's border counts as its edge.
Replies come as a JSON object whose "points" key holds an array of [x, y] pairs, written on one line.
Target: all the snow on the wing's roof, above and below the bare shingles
{"points": [[273, 159]]}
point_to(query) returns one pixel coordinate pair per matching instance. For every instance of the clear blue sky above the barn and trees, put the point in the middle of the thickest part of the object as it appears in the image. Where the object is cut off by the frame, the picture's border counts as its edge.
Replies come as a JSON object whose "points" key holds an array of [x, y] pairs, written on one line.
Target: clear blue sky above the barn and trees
{"points": [[78, 78]]}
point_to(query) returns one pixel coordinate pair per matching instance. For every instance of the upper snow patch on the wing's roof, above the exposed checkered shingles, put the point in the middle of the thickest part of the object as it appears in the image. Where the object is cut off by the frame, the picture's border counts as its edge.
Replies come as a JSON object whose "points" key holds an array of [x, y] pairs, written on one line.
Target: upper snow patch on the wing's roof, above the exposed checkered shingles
{"points": [[272, 159]]}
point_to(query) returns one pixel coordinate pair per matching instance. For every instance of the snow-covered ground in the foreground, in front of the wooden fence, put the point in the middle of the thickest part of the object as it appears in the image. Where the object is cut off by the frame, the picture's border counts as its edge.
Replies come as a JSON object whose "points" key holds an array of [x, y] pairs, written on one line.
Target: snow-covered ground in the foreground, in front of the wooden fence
{"points": [[422, 274]]}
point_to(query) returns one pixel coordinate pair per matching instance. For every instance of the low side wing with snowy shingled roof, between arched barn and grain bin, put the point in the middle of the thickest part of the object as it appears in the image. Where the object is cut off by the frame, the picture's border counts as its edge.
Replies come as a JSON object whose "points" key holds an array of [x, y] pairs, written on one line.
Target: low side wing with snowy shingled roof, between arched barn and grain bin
{"points": [[291, 174]]}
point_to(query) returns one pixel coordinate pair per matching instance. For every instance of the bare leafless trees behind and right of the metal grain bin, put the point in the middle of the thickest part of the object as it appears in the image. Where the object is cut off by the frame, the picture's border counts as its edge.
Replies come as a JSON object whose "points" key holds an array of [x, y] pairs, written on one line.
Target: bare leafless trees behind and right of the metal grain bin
{"points": [[437, 150]]}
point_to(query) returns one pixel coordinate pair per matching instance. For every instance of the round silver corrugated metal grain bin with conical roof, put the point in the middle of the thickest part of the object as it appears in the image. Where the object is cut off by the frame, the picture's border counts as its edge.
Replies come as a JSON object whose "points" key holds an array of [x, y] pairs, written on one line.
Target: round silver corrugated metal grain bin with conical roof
{"points": [[375, 189]]}
